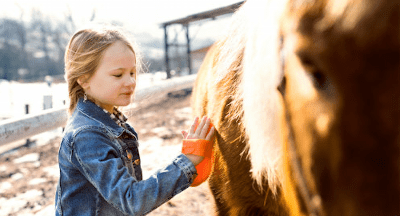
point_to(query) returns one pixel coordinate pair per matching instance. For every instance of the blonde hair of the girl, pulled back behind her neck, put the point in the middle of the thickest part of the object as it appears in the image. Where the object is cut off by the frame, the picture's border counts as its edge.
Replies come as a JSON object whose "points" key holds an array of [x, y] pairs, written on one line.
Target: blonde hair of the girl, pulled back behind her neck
{"points": [[84, 53]]}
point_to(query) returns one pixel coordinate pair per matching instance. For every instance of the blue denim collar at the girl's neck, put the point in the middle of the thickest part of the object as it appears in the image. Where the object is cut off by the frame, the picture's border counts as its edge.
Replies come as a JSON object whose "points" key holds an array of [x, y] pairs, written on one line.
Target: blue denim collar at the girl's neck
{"points": [[93, 111]]}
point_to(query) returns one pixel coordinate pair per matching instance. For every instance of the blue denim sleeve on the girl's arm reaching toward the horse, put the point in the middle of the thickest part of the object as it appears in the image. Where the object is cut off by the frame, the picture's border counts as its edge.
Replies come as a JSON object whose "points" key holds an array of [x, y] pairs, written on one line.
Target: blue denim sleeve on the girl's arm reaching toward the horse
{"points": [[97, 159]]}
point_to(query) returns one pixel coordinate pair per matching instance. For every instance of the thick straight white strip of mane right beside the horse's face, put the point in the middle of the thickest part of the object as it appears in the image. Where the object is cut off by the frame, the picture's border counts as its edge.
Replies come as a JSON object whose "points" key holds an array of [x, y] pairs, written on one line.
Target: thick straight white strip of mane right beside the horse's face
{"points": [[262, 76]]}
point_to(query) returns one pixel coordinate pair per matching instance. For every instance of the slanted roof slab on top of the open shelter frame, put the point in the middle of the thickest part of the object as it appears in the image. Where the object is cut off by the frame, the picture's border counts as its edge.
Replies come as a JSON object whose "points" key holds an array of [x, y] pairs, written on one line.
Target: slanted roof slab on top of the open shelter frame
{"points": [[205, 15]]}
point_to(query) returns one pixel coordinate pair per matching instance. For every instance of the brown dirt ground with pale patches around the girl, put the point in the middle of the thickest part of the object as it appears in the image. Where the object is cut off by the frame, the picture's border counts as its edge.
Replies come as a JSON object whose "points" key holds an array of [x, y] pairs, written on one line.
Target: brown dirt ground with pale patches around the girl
{"points": [[28, 176]]}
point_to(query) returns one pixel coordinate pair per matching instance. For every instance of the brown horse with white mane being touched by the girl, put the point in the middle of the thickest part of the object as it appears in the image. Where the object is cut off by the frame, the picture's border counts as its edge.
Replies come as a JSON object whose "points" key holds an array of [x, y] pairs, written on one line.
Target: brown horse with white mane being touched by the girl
{"points": [[305, 97]]}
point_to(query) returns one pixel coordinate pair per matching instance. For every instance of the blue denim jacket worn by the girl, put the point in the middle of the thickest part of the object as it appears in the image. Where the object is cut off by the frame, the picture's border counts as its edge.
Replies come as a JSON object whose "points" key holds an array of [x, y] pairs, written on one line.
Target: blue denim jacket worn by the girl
{"points": [[99, 177]]}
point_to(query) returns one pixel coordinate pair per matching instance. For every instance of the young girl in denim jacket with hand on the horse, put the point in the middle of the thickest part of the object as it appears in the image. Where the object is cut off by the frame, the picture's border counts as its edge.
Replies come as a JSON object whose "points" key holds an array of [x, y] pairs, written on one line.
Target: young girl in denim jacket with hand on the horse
{"points": [[100, 172]]}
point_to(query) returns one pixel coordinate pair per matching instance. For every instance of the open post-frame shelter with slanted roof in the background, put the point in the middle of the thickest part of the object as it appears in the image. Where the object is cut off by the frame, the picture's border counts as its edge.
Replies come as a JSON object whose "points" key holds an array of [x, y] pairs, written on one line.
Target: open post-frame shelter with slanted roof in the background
{"points": [[185, 22]]}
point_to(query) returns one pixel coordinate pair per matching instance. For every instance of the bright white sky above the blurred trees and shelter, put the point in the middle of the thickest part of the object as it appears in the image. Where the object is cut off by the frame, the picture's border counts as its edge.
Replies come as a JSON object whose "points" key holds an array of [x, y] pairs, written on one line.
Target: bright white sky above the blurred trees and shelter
{"points": [[138, 16]]}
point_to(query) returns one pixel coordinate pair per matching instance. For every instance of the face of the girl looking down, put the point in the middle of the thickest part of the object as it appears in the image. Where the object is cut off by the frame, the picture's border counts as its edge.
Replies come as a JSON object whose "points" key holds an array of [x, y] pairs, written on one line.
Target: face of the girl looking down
{"points": [[114, 82]]}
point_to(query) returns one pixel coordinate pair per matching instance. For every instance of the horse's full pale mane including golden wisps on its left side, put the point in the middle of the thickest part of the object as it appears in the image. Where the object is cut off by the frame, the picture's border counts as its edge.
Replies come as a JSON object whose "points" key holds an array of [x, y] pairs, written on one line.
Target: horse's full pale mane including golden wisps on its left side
{"points": [[241, 54]]}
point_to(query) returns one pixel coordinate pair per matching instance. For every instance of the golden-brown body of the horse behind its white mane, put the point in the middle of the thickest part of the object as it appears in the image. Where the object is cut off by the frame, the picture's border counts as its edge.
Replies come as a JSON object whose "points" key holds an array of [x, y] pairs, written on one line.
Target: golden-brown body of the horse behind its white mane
{"points": [[231, 174]]}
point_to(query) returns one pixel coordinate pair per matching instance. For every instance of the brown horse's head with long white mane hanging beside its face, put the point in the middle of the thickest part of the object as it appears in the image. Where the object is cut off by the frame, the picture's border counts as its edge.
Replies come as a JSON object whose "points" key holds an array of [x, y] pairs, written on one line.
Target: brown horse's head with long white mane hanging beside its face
{"points": [[321, 79]]}
